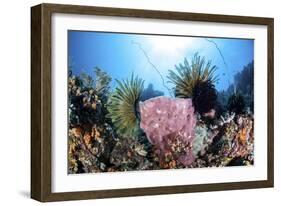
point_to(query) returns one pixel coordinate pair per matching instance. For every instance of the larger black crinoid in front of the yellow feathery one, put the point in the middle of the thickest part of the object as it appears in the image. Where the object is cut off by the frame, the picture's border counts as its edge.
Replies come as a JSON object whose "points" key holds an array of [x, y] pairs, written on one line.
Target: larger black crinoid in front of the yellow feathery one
{"points": [[204, 96]]}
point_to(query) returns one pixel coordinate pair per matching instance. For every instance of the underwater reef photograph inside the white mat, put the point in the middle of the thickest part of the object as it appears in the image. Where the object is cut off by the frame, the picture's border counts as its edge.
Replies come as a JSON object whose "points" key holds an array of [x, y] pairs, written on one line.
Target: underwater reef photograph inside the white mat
{"points": [[152, 101]]}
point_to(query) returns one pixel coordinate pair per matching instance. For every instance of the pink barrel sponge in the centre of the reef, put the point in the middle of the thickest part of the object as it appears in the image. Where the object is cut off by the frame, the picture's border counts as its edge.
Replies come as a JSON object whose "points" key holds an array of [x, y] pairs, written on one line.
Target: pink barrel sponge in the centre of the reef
{"points": [[164, 118]]}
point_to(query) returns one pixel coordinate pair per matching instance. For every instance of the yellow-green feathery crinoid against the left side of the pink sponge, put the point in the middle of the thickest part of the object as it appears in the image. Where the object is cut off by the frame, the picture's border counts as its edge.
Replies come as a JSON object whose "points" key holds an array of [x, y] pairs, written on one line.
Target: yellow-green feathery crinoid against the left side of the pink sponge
{"points": [[123, 106]]}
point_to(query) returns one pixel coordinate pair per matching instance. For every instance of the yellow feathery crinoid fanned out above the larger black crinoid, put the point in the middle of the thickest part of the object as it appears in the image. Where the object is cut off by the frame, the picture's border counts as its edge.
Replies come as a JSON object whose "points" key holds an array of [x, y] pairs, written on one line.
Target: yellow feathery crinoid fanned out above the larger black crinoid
{"points": [[188, 75]]}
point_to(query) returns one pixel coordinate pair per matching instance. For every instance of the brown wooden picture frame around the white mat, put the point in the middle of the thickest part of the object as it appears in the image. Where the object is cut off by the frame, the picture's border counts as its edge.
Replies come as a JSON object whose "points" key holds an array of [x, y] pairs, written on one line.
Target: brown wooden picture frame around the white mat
{"points": [[41, 101]]}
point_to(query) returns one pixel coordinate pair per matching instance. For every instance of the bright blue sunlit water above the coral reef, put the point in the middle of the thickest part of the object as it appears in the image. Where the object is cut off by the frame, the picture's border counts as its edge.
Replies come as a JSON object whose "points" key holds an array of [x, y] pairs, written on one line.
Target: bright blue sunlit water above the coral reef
{"points": [[151, 56]]}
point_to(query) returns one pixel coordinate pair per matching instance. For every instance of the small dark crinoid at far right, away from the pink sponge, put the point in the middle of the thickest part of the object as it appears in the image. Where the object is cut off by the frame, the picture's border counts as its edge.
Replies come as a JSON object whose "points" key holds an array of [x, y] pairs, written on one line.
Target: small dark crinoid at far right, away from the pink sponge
{"points": [[236, 103]]}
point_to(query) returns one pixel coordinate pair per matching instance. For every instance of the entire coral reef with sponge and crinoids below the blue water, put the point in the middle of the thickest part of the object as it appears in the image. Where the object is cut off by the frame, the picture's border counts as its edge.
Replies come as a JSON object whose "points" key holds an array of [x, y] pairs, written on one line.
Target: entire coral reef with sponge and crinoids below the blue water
{"points": [[128, 128]]}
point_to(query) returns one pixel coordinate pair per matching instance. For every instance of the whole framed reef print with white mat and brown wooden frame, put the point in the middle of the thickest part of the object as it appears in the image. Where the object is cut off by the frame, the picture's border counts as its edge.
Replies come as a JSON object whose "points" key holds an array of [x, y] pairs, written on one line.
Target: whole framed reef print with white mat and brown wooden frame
{"points": [[130, 102]]}
